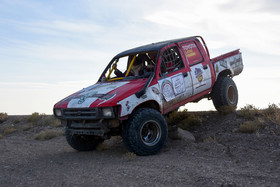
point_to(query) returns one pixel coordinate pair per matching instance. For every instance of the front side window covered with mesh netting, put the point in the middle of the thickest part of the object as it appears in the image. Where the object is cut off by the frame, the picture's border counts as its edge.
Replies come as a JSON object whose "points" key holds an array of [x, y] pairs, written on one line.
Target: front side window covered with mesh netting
{"points": [[171, 60]]}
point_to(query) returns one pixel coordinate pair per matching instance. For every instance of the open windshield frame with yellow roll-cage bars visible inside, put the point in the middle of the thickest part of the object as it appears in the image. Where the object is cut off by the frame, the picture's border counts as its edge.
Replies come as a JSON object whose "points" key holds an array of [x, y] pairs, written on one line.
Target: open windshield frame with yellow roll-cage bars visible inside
{"points": [[130, 67]]}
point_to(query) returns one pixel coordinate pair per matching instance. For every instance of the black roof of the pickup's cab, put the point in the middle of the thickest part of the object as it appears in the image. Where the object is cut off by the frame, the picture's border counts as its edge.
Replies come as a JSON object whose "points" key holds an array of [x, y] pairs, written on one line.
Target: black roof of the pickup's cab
{"points": [[151, 47]]}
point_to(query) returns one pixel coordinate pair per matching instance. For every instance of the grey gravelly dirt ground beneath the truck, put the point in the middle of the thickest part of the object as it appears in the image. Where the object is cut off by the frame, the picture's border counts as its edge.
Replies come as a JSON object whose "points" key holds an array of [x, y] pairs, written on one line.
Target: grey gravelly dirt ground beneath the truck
{"points": [[214, 153]]}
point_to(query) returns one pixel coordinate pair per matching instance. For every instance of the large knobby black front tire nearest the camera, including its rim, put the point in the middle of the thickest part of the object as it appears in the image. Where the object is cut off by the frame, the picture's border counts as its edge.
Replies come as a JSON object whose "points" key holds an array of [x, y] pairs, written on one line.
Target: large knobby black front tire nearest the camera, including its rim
{"points": [[145, 132]]}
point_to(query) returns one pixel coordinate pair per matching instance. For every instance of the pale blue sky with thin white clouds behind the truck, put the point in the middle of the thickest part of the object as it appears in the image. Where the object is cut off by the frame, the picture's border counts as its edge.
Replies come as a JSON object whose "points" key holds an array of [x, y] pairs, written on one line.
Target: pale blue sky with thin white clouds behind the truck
{"points": [[51, 49]]}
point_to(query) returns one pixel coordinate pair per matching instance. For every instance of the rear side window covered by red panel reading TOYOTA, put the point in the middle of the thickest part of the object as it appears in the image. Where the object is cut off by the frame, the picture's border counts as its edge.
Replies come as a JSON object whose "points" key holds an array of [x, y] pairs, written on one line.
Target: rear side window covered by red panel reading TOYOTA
{"points": [[192, 52]]}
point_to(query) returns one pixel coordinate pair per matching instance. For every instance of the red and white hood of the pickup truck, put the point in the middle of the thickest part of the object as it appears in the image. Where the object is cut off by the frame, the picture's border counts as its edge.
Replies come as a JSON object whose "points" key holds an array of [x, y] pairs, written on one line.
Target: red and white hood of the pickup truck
{"points": [[102, 94]]}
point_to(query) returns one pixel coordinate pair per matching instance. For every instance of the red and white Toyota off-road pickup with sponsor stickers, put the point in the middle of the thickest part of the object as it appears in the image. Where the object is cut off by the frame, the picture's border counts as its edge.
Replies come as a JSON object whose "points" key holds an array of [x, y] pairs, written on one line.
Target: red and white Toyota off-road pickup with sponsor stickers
{"points": [[141, 85]]}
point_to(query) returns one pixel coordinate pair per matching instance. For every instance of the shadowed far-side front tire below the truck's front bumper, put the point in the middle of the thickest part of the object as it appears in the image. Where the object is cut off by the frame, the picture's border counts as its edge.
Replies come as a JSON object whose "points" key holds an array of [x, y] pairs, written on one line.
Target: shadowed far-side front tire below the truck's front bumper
{"points": [[82, 142]]}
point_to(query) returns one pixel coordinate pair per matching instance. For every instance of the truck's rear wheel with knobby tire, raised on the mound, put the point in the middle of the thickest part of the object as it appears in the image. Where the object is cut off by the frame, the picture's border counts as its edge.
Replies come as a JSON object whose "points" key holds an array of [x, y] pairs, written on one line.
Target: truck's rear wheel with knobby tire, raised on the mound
{"points": [[224, 93]]}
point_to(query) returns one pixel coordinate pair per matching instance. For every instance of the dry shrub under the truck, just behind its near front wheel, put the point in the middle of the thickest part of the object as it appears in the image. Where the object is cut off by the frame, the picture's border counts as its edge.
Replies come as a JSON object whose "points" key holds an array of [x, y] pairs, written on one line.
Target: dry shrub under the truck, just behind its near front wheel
{"points": [[183, 119]]}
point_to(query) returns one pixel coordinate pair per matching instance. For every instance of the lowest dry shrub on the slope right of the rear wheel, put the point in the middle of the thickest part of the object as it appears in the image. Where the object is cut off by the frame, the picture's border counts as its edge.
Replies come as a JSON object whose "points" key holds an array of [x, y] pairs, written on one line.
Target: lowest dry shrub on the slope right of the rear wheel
{"points": [[251, 126]]}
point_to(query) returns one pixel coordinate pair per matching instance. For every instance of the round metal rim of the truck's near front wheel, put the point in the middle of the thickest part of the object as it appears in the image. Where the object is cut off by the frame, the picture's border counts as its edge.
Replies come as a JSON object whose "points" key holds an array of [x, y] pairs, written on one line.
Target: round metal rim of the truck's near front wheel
{"points": [[150, 133]]}
